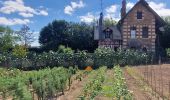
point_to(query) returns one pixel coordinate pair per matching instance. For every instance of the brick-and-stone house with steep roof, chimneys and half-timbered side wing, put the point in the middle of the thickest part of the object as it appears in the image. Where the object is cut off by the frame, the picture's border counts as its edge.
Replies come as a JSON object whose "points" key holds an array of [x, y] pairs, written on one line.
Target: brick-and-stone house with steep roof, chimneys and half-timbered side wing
{"points": [[139, 28]]}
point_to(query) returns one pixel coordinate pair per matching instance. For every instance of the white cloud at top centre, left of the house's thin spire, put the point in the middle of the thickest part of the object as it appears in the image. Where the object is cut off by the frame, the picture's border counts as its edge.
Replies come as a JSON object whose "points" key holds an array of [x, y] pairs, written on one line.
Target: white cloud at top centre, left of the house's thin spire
{"points": [[69, 9]]}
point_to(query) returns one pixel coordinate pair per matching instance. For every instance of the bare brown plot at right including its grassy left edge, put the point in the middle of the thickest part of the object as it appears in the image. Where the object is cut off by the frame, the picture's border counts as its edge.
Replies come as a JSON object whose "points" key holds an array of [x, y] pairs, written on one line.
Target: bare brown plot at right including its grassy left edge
{"points": [[155, 80]]}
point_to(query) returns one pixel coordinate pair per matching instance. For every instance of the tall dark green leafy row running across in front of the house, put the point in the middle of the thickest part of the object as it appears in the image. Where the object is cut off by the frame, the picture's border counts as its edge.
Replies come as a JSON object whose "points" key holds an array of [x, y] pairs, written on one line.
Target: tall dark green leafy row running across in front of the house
{"points": [[101, 57]]}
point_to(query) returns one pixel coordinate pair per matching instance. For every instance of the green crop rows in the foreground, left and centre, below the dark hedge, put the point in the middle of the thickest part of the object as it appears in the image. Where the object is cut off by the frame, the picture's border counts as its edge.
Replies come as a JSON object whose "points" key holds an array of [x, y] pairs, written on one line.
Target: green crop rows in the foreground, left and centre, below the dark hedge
{"points": [[52, 83]]}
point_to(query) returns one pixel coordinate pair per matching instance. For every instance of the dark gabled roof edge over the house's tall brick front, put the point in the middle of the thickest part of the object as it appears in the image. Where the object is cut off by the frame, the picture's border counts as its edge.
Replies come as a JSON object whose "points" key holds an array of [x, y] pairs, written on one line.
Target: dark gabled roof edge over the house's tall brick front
{"points": [[144, 3]]}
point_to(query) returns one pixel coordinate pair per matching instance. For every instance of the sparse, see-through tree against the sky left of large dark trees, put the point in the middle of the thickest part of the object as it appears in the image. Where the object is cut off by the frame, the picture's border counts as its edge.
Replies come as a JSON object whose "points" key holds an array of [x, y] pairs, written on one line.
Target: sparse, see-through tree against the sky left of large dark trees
{"points": [[26, 36]]}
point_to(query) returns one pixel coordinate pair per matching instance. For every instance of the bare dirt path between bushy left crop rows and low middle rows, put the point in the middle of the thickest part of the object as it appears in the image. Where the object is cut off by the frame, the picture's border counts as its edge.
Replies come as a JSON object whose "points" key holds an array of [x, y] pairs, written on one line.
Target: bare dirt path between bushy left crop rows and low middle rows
{"points": [[75, 90]]}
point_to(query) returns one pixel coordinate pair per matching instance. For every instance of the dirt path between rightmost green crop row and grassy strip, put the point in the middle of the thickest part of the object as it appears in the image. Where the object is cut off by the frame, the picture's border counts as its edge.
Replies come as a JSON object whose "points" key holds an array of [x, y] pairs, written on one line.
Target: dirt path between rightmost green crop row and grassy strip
{"points": [[133, 86]]}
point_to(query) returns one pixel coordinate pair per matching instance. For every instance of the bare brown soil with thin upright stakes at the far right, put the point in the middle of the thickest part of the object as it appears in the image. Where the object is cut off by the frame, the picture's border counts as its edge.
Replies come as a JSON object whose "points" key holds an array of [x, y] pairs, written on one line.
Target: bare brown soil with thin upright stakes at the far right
{"points": [[158, 77]]}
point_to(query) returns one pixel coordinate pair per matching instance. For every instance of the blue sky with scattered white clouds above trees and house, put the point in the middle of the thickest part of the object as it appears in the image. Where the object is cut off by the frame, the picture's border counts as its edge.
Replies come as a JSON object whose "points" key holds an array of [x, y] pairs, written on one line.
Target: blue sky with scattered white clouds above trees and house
{"points": [[38, 13]]}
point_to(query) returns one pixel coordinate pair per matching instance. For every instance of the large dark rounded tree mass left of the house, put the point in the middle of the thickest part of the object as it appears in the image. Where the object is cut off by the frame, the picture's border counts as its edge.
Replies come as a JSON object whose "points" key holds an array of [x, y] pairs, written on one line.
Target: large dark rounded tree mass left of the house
{"points": [[78, 36]]}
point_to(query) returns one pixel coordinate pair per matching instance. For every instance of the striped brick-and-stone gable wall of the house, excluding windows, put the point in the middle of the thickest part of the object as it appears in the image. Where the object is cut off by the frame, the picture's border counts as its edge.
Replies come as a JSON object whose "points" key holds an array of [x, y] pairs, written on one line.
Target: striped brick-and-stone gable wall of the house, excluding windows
{"points": [[148, 20]]}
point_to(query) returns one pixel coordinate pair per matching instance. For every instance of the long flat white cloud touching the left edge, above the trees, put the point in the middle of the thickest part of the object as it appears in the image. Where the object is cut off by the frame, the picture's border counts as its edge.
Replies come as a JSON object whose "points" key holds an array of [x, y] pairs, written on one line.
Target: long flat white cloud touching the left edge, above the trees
{"points": [[14, 21]]}
